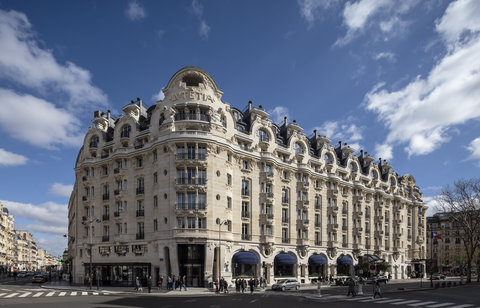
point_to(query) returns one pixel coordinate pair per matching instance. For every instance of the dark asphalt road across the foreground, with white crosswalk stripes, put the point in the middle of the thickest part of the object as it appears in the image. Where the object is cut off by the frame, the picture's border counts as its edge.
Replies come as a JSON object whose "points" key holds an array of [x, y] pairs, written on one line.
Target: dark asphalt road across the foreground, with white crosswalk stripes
{"points": [[458, 297]]}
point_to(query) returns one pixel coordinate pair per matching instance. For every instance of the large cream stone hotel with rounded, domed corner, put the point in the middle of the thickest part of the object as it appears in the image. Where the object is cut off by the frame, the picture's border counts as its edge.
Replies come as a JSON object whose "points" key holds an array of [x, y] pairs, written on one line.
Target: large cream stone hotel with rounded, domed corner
{"points": [[159, 188]]}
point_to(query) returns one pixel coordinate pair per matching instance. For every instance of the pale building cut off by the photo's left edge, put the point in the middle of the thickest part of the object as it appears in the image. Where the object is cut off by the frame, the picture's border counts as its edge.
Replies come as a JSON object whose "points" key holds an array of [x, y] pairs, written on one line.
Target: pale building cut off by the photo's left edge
{"points": [[7, 245]]}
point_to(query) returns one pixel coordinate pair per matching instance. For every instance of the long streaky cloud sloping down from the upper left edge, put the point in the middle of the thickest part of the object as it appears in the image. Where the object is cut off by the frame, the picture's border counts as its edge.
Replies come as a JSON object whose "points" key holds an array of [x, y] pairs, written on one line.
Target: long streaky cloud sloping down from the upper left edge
{"points": [[23, 62]]}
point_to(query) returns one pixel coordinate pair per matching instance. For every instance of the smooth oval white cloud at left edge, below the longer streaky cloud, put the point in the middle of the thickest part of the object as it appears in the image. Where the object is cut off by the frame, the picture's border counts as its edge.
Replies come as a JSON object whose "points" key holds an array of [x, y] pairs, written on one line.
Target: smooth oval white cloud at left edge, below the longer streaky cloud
{"points": [[37, 121]]}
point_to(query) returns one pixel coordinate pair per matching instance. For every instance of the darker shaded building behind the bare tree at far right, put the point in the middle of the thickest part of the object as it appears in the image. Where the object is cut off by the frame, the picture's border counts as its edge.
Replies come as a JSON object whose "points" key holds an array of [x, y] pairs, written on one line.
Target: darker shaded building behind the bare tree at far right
{"points": [[448, 251]]}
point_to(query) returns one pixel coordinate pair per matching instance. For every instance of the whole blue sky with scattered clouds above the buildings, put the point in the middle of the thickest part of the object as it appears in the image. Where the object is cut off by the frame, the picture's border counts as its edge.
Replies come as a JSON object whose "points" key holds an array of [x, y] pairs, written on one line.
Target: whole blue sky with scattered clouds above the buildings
{"points": [[399, 79]]}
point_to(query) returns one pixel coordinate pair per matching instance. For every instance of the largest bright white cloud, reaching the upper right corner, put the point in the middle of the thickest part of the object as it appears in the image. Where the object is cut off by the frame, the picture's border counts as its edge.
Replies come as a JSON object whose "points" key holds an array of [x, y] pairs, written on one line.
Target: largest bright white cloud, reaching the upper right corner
{"points": [[424, 112]]}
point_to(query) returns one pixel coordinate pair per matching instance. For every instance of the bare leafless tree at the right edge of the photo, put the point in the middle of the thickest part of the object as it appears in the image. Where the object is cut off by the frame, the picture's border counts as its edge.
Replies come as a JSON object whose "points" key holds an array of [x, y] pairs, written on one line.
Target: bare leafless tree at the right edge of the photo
{"points": [[461, 202]]}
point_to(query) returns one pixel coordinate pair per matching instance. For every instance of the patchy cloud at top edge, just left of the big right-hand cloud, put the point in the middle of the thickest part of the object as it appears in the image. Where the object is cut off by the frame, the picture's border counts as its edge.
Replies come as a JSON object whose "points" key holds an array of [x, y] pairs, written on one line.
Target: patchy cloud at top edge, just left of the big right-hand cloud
{"points": [[386, 15]]}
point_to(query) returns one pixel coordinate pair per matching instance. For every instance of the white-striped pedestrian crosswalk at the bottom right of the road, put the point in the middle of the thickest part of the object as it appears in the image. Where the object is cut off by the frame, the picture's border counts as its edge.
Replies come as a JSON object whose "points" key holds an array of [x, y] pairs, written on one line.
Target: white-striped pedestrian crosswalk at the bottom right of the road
{"points": [[399, 302]]}
